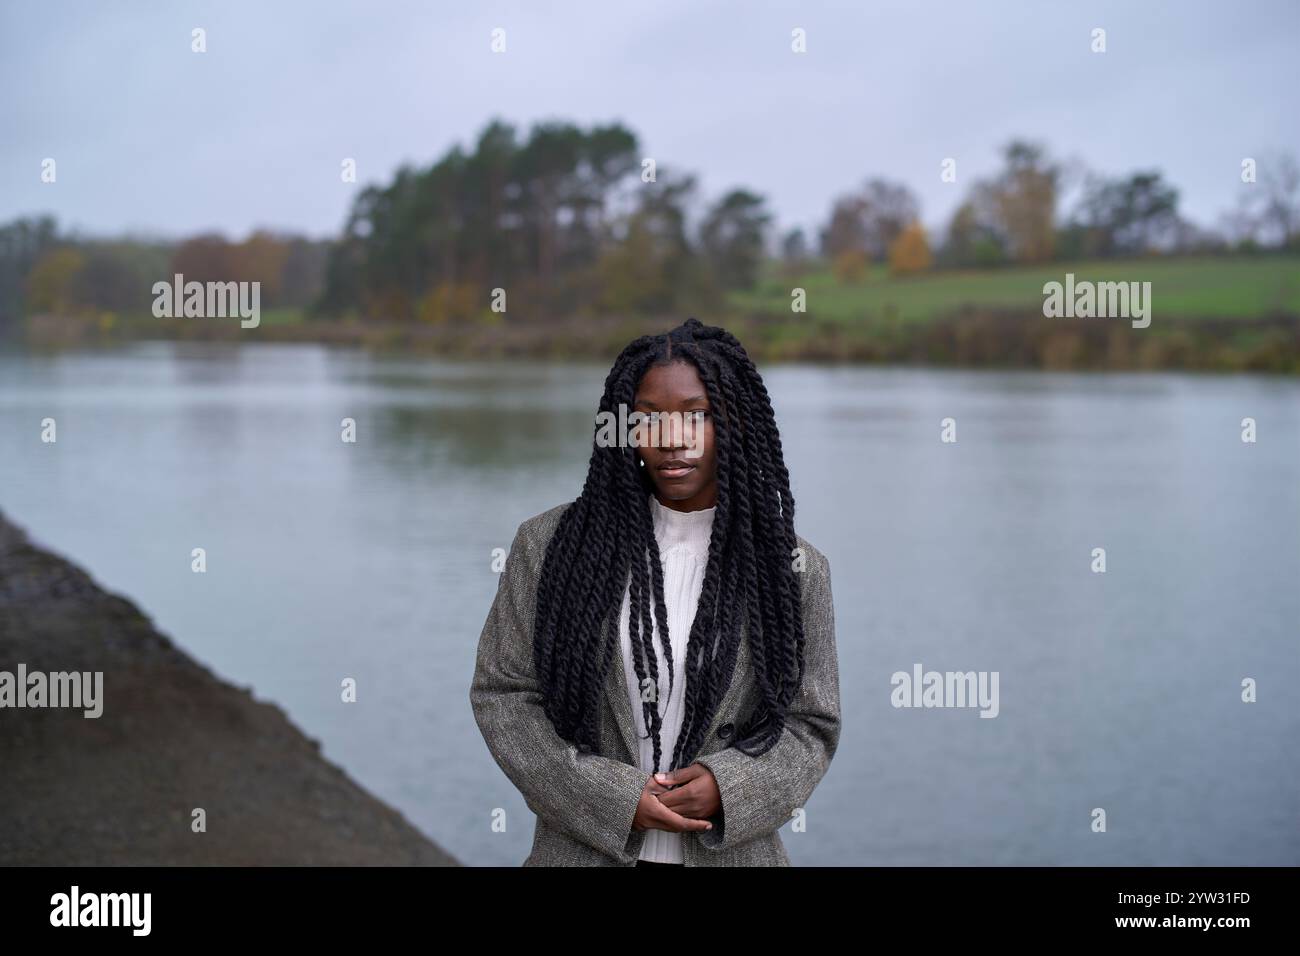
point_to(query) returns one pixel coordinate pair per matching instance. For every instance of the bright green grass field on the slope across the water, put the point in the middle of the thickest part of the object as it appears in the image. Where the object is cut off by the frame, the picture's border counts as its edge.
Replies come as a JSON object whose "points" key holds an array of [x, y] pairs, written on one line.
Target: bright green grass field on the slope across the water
{"points": [[1210, 288]]}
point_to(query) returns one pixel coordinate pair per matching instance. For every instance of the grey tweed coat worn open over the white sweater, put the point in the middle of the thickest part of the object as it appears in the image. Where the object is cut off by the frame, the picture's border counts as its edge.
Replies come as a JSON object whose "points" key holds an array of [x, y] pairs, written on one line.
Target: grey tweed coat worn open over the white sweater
{"points": [[586, 802]]}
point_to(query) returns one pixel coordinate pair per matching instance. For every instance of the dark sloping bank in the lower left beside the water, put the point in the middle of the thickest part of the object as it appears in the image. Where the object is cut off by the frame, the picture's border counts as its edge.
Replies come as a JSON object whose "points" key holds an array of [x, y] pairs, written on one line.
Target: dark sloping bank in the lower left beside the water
{"points": [[122, 789]]}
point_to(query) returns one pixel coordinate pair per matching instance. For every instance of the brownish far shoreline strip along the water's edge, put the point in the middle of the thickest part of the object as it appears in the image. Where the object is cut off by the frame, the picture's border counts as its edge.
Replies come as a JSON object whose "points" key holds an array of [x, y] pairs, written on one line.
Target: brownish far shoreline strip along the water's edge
{"points": [[968, 339]]}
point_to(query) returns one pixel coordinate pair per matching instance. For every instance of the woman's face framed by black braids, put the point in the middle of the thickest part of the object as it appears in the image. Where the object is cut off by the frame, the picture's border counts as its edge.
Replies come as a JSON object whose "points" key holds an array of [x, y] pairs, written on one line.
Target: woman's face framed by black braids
{"points": [[679, 449]]}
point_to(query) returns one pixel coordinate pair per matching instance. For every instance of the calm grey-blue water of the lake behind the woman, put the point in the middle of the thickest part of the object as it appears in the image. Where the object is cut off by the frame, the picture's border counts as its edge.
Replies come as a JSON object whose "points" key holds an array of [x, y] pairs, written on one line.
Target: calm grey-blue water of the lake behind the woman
{"points": [[374, 561]]}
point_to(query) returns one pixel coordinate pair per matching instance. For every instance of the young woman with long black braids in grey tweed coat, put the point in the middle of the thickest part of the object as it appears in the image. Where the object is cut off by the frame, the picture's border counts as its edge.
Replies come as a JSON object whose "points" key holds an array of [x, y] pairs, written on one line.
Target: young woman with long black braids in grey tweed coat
{"points": [[658, 673]]}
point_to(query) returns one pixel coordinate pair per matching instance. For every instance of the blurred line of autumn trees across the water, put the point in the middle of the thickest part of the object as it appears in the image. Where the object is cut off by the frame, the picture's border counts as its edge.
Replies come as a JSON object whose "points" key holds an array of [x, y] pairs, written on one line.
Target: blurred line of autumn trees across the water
{"points": [[574, 222]]}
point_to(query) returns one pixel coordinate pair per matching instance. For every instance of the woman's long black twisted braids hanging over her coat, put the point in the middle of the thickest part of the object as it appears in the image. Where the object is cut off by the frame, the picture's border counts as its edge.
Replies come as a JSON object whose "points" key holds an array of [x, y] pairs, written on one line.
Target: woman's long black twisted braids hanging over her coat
{"points": [[605, 547]]}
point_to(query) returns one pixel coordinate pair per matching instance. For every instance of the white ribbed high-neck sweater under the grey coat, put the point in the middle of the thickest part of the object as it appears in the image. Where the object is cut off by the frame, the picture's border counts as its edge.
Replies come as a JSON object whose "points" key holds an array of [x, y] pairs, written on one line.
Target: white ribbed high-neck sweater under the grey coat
{"points": [[683, 539]]}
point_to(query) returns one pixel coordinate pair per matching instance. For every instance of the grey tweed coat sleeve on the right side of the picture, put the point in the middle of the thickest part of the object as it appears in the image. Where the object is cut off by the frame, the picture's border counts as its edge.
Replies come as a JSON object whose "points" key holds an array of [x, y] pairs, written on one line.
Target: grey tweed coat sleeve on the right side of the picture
{"points": [[761, 794]]}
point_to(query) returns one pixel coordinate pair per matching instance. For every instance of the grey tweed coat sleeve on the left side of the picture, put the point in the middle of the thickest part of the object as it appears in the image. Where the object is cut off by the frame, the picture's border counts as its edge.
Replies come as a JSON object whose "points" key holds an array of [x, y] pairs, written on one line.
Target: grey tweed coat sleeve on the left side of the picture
{"points": [[593, 799]]}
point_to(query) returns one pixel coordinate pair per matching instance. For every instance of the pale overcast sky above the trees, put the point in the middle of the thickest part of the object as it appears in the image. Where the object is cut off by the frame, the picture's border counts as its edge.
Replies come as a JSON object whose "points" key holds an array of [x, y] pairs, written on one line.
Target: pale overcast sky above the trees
{"points": [[150, 137]]}
